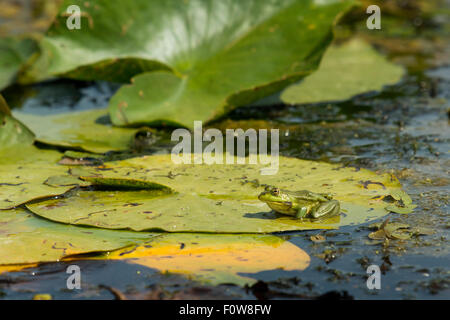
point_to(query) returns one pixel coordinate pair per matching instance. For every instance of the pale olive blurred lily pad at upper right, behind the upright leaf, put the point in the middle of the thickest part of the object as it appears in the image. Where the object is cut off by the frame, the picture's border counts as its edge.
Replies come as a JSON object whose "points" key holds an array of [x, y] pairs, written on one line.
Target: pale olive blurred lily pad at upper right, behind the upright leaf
{"points": [[345, 71]]}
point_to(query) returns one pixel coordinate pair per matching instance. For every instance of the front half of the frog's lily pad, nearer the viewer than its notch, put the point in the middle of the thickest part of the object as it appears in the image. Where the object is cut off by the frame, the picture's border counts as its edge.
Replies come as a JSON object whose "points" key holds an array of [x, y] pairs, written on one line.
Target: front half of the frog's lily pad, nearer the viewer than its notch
{"points": [[142, 211]]}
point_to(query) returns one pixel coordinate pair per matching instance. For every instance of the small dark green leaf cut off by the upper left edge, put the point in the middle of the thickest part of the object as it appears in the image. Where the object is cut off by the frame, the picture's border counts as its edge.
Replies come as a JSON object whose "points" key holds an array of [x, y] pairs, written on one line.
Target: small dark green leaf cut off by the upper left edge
{"points": [[13, 54]]}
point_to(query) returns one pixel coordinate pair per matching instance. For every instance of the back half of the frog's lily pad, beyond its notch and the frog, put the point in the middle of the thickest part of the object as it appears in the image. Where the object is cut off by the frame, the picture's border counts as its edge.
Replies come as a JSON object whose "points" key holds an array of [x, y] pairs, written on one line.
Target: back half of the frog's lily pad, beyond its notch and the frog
{"points": [[231, 180]]}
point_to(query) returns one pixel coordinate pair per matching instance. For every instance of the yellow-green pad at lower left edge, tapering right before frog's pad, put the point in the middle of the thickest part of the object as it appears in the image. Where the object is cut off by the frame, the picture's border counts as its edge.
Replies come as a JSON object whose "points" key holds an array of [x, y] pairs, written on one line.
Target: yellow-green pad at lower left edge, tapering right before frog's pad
{"points": [[27, 239]]}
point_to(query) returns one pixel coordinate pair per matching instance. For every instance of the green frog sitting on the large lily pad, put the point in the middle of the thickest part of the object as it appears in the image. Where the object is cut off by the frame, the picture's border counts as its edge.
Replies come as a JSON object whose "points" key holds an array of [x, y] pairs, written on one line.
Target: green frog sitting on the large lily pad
{"points": [[300, 204]]}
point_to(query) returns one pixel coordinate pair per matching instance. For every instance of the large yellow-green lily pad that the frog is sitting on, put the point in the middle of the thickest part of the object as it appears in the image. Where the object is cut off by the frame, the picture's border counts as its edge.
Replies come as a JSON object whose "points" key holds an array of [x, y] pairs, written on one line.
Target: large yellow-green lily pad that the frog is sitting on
{"points": [[218, 198]]}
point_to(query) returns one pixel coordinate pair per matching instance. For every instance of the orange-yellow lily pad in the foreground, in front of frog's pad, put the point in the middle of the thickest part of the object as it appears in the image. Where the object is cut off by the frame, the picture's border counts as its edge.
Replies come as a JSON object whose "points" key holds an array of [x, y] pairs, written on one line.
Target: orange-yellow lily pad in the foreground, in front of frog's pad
{"points": [[216, 259]]}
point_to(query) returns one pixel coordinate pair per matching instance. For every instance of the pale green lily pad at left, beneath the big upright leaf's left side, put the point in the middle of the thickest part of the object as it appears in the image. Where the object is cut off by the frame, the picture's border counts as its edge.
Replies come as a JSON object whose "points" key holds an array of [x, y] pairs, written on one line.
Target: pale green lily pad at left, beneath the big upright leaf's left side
{"points": [[87, 130]]}
